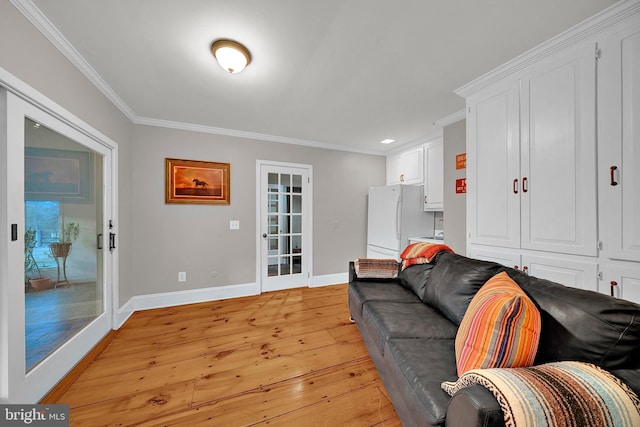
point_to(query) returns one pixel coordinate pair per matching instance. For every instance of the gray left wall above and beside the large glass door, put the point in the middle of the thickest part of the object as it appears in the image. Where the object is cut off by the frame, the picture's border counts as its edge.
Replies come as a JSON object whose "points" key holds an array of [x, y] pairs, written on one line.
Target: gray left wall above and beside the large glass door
{"points": [[28, 55]]}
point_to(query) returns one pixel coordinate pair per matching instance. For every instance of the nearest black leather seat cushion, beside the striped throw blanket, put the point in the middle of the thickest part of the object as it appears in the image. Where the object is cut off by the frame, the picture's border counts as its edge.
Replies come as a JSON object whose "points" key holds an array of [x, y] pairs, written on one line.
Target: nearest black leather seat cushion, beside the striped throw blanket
{"points": [[416, 368]]}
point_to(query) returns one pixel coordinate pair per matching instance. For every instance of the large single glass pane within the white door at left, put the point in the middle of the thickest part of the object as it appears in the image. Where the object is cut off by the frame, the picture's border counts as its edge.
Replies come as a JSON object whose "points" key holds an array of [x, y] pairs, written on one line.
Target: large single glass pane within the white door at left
{"points": [[63, 218]]}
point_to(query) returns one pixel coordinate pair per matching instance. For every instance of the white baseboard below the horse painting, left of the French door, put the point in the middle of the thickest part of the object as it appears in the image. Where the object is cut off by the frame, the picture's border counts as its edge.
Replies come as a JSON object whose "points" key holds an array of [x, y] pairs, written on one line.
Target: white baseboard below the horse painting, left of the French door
{"points": [[189, 296]]}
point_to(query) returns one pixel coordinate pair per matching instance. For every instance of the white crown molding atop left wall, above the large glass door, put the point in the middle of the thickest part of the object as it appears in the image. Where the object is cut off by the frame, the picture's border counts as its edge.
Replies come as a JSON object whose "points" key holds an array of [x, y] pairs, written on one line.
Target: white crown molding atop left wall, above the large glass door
{"points": [[42, 23]]}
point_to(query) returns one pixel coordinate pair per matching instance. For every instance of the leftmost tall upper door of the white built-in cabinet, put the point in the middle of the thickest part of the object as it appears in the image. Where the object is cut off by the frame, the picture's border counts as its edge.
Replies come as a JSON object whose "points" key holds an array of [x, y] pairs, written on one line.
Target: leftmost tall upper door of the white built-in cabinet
{"points": [[493, 166]]}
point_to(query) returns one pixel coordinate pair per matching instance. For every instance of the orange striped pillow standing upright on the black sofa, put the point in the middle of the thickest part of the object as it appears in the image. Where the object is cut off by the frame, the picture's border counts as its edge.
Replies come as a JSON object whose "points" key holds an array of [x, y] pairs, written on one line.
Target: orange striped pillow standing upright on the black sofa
{"points": [[500, 329]]}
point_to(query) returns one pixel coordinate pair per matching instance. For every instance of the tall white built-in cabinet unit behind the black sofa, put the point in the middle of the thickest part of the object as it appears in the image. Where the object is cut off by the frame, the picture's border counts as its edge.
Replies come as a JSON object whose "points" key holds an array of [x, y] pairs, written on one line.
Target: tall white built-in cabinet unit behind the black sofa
{"points": [[553, 157]]}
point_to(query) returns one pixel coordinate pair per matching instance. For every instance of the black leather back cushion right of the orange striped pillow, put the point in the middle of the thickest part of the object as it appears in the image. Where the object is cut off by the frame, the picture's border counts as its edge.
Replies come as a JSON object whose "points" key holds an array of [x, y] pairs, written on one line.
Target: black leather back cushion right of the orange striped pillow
{"points": [[584, 325]]}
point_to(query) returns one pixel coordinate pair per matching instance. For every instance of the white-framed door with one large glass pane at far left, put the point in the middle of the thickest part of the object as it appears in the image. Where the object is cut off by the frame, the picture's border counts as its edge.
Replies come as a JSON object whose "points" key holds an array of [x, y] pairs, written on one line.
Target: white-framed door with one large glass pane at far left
{"points": [[57, 173]]}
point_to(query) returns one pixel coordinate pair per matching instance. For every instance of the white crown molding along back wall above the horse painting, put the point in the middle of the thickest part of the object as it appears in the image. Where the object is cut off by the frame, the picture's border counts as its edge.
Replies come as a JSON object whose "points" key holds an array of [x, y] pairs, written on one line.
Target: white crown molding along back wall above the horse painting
{"points": [[147, 121]]}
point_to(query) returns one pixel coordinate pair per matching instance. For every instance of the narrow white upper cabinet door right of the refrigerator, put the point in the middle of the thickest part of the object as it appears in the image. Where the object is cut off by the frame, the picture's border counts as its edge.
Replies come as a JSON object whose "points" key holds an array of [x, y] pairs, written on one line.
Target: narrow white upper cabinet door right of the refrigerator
{"points": [[434, 175]]}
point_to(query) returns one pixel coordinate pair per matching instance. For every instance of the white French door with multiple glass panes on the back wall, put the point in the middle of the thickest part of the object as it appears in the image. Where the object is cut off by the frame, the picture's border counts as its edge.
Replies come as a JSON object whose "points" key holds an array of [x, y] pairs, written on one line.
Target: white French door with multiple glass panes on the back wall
{"points": [[284, 218]]}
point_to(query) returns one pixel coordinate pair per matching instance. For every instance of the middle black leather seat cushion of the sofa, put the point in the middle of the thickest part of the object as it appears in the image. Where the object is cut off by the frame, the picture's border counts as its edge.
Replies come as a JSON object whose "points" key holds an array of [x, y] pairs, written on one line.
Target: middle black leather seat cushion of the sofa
{"points": [[401, 320]]}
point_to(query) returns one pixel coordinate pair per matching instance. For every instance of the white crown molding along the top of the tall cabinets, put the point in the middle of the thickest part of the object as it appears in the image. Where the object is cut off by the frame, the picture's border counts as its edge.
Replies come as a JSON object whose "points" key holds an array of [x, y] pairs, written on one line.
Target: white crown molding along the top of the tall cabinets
{"points": [[574, 35]]}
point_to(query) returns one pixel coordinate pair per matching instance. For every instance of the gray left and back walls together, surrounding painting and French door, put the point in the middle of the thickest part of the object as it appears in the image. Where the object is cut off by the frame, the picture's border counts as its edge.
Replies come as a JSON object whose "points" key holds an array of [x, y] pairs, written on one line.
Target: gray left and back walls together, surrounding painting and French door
{"points": [[157, 240]]}
